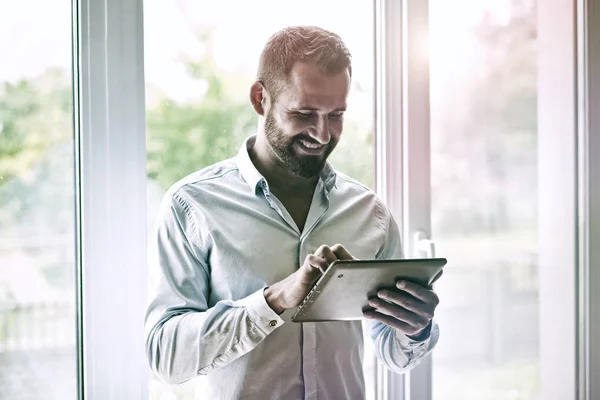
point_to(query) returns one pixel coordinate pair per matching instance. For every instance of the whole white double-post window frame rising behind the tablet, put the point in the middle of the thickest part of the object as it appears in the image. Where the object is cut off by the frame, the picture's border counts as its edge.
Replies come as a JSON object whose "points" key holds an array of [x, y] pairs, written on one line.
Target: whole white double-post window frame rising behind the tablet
{"points": [[402, 122]]}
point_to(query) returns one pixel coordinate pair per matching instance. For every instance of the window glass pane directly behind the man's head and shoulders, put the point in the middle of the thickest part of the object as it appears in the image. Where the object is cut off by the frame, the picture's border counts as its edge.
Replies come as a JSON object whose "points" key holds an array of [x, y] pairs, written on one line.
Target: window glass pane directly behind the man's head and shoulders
{"points": [[200, 62]]}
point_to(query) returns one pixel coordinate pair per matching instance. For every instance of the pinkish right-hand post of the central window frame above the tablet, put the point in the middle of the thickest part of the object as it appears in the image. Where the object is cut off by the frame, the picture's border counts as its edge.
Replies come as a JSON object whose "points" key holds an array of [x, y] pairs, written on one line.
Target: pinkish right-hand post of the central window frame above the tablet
{"points": [[416, 157]]}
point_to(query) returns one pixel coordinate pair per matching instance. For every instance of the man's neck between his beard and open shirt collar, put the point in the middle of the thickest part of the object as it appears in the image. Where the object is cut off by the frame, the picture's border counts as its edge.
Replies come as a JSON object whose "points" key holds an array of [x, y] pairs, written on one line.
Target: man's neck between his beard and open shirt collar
{"points": [[279, 176]]}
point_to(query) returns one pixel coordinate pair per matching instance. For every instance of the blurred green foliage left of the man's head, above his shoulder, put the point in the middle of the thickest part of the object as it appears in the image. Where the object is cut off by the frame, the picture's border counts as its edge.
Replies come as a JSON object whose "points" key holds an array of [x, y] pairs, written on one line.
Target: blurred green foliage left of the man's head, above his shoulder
{"points": [[186, 136]]}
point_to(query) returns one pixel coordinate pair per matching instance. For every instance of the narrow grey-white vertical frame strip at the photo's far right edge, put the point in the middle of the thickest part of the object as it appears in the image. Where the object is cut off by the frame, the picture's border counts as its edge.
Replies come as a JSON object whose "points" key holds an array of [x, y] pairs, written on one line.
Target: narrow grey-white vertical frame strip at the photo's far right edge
{"points": [[588, 98]]}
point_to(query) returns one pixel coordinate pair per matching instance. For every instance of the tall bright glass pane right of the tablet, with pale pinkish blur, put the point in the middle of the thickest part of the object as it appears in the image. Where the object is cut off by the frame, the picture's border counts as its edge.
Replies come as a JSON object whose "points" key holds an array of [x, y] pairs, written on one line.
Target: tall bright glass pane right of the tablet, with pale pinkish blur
{"points": [[484, 197]]}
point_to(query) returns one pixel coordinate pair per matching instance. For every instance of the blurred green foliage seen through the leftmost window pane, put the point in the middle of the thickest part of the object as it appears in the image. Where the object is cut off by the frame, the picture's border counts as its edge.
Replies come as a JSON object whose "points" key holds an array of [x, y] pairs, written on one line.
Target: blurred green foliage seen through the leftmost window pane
{"points": [[36, 161]]}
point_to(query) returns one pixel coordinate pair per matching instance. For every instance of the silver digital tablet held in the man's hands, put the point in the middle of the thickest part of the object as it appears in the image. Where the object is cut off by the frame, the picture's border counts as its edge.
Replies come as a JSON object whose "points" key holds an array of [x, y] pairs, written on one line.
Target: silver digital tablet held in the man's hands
{"points": [[344, 290]]}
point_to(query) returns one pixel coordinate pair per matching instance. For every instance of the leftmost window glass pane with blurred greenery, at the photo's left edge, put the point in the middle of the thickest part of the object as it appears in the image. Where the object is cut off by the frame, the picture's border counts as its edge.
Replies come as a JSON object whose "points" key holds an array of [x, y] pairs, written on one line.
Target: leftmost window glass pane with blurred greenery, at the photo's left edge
{"points": [[37, 243]]}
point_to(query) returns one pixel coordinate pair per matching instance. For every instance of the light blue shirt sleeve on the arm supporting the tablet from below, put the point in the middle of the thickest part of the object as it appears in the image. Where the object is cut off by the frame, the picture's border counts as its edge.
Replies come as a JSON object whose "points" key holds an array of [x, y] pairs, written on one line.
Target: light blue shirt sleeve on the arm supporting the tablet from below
{"points": [[395, 350]]}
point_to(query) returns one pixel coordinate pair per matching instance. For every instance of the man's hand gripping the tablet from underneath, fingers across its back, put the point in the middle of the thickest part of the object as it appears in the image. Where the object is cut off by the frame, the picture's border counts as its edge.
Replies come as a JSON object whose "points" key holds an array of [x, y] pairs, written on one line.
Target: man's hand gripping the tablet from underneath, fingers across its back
{"points": [[409, 307]]}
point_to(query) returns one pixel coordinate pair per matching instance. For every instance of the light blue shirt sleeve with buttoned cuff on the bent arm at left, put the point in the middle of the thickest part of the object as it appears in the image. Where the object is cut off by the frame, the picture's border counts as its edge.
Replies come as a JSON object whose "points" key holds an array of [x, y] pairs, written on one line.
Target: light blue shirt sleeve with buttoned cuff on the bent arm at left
{"points": [[184, 337]]}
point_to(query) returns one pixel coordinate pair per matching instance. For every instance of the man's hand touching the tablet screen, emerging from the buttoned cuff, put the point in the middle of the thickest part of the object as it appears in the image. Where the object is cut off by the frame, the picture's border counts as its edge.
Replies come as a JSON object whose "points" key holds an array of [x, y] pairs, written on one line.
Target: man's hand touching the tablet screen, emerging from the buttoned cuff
{"points": [[290, 292]]}
